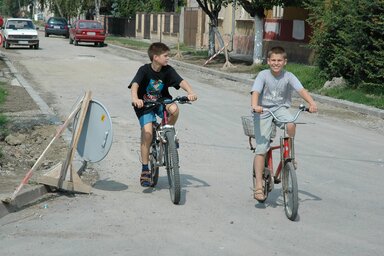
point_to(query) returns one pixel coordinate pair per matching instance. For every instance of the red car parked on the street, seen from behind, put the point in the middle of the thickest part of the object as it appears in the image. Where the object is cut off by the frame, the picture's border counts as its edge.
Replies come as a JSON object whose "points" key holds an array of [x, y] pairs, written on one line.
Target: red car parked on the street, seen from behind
{"points": [[89, 31]]}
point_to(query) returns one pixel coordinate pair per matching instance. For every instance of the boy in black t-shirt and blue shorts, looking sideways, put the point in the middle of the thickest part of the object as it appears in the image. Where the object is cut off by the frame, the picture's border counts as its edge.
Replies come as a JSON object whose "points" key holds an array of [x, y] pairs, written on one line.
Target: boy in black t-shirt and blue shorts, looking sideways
{"points": [[151, 82]]}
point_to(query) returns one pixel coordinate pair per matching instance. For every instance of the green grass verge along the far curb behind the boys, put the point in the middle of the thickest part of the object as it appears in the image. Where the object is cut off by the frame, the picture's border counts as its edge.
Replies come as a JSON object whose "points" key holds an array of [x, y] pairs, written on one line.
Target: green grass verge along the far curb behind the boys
{"points": [[308, 75]]}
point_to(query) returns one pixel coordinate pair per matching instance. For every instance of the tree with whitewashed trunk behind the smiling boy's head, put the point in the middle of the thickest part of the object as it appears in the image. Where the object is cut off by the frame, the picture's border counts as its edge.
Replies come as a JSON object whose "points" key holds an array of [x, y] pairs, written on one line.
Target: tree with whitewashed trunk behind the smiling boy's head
{"points": [[256, 9]]}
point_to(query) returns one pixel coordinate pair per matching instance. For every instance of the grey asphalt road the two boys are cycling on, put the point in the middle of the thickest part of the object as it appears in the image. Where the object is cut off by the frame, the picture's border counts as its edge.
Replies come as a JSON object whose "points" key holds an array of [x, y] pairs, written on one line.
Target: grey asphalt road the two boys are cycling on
{"points": [[340, 171]]}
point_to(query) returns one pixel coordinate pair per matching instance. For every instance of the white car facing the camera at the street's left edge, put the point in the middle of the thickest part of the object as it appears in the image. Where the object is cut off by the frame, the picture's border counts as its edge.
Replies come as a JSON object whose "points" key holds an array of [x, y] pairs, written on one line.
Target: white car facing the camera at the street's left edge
{"points": [[20, 31]]}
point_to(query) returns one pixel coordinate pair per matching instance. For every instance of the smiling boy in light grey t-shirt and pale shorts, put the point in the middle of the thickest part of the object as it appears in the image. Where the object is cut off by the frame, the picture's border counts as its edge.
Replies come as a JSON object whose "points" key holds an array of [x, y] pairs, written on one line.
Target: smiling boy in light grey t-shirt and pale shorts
{"points": [[273, 88]]}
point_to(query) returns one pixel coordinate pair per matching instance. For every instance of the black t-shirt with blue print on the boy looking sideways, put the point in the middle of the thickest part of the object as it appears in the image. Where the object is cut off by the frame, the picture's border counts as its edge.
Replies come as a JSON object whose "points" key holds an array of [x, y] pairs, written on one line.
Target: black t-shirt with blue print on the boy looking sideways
{"points": [[154, 85]]}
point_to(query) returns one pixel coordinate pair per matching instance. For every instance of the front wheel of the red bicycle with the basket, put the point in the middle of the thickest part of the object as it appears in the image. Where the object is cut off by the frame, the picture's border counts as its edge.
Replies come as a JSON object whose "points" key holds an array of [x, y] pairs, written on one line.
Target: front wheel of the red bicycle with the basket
{"points": [[290, 191]]}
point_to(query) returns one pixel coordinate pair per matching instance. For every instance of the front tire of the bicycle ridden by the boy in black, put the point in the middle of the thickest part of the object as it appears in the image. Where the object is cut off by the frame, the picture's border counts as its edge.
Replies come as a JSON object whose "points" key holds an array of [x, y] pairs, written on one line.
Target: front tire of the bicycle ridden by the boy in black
{"points": [[172, 166]]}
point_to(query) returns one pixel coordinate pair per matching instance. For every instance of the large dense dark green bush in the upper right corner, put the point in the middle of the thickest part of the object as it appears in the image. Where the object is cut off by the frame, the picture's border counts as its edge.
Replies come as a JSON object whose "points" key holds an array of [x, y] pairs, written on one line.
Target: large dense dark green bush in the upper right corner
{"points": [[348, 41]]}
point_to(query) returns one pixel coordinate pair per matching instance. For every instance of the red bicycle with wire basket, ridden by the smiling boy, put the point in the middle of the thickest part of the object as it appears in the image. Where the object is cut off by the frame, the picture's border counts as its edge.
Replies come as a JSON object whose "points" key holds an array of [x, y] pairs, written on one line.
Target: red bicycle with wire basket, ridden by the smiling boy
{"points": [[286, 170]]}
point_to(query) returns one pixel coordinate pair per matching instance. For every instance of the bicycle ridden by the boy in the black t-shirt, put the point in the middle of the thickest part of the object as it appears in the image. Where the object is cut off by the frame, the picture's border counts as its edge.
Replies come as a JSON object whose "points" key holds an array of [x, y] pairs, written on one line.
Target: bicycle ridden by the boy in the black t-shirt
{"points": [[163, 149]]}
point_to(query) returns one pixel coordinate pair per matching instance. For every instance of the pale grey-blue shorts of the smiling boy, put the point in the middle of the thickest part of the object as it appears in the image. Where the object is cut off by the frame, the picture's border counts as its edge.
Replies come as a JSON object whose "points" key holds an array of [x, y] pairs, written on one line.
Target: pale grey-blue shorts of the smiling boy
{"points": [[263, 128]]}
